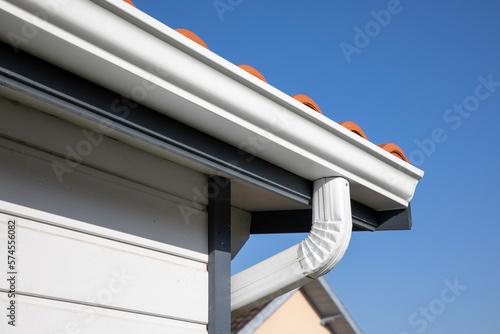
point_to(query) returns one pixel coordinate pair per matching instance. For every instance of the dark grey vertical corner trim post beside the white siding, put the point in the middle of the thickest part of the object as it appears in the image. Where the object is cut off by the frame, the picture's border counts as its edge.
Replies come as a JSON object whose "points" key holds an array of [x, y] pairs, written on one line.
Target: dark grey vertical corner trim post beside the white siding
{"points": [[219, 255]]}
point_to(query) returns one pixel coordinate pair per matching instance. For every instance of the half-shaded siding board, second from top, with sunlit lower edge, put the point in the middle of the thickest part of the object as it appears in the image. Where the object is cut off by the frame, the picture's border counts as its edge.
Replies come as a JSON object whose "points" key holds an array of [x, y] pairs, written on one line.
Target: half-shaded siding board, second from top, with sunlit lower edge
{"points": [[103, 200]]}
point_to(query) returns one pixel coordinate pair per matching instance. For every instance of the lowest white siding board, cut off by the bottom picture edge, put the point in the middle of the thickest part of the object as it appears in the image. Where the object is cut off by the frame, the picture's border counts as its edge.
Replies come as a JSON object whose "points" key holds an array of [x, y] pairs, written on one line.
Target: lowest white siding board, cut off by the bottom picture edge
{"points": [[44, 316]]}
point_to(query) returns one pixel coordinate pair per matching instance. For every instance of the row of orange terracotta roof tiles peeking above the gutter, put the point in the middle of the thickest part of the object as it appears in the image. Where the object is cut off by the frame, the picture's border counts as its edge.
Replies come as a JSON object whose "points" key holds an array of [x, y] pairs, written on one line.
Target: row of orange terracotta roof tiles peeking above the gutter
{"points": [[391, 148]]}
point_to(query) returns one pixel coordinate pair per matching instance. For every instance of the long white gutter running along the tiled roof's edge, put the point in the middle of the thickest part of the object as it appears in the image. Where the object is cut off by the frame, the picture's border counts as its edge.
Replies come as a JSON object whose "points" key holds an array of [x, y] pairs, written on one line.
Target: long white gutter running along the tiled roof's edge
{"points": [[134, 55]]}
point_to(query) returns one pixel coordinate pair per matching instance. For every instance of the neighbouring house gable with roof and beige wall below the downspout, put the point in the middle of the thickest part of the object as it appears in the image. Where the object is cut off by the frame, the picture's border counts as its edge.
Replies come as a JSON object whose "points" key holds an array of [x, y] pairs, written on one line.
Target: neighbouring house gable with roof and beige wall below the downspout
{"points": [[330, 312]]}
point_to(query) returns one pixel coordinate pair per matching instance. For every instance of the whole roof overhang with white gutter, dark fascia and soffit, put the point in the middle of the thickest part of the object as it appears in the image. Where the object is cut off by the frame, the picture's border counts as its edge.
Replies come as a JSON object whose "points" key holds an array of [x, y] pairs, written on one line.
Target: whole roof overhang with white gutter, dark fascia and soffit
{"points": [[214, 116]]}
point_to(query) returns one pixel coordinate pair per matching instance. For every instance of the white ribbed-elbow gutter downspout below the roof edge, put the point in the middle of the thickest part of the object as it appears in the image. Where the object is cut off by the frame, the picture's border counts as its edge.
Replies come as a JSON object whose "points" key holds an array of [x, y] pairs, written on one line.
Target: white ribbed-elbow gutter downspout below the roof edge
{"points": [[312, 258]]}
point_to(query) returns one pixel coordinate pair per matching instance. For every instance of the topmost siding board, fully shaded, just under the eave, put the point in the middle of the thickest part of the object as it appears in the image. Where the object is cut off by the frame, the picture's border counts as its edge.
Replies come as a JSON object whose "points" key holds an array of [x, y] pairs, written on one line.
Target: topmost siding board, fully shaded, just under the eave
{"points": [[58, 136]]}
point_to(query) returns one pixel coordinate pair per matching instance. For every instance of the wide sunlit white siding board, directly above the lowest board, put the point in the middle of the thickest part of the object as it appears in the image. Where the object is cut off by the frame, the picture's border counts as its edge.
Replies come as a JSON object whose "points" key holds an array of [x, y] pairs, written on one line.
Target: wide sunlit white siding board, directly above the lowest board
{"points": [[64, 264]]}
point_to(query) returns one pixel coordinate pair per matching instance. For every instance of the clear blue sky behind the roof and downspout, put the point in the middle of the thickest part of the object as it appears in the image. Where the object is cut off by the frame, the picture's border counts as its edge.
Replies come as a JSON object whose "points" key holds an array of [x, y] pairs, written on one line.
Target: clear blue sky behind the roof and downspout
{"points": [[405, 83]]}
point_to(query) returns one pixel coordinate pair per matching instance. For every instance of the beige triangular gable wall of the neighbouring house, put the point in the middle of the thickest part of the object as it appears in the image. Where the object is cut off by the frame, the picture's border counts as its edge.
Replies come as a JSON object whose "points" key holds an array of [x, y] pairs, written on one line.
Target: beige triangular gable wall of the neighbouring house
{"points": [[295, 316]]}
